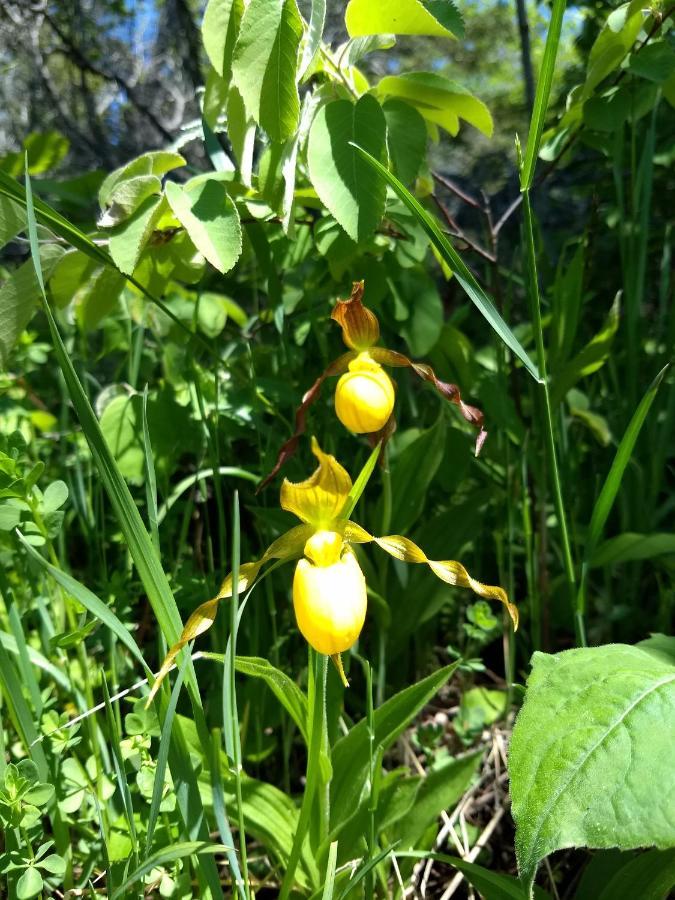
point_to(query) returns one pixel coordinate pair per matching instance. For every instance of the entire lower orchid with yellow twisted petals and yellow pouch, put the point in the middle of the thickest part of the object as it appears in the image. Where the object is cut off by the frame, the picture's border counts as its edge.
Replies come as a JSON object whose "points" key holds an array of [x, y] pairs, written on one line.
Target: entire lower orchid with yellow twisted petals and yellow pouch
{"points": [[329, 589]]}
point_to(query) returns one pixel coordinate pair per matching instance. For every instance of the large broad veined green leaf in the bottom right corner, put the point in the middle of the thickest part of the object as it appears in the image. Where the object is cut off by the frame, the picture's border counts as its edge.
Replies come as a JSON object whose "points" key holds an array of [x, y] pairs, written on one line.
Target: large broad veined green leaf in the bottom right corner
{"points": [[591, 753]]}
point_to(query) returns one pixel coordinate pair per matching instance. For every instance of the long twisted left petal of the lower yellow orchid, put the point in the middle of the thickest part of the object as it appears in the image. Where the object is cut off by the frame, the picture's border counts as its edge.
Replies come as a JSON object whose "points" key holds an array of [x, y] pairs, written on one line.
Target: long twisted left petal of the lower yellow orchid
{"points": [[288, 546]]}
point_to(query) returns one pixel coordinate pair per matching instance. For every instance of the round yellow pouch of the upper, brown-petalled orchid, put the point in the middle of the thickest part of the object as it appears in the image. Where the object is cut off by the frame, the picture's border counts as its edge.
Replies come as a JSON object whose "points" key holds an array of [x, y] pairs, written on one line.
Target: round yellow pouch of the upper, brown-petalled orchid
{"points": [[364, 396]]}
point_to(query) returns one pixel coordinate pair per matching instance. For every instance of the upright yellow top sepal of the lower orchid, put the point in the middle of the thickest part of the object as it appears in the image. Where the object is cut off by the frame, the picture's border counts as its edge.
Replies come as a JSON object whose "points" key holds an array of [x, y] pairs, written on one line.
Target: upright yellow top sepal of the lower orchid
{"points": [[320, 498]]}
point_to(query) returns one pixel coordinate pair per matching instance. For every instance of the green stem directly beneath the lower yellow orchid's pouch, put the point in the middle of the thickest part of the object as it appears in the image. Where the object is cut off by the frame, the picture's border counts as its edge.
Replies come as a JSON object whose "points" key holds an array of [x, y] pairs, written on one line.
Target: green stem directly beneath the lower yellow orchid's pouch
{"points": [[316, 695]]}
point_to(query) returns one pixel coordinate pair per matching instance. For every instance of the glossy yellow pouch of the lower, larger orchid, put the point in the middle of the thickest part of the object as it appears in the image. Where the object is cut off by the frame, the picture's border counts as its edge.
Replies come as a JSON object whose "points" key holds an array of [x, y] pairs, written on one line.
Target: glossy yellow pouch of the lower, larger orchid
{"points": [[330, 603]]}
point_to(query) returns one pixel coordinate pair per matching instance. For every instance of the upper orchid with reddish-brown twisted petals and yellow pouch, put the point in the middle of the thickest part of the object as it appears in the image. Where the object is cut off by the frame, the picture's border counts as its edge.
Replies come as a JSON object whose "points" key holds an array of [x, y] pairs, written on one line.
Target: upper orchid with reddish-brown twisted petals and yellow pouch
{"points": [[365, 394]]}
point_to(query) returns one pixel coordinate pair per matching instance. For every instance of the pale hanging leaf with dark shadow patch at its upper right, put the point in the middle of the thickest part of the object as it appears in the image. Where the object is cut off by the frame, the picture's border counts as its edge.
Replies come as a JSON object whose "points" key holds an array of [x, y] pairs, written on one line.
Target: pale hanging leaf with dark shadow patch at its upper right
{"points": [[211, 220]]}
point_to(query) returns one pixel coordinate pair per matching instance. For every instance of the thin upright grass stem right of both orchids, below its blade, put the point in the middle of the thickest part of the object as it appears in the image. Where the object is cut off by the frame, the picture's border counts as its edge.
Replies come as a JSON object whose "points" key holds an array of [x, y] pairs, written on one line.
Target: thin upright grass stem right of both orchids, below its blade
{"points": [[535, 300]]}
